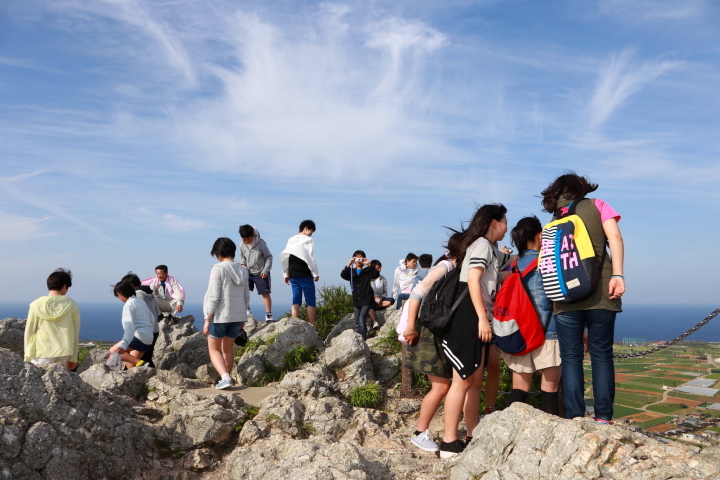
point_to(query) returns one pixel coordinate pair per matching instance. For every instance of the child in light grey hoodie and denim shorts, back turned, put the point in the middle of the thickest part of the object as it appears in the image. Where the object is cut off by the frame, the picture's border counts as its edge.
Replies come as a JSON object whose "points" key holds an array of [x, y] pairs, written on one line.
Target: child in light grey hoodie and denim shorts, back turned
{"points": [[225, 308]]}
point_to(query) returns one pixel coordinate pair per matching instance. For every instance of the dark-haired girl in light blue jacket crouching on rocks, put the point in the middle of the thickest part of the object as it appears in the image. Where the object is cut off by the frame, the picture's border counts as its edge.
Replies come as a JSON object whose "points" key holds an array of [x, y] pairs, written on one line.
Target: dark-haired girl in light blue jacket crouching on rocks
{"points": [[138, 324]]}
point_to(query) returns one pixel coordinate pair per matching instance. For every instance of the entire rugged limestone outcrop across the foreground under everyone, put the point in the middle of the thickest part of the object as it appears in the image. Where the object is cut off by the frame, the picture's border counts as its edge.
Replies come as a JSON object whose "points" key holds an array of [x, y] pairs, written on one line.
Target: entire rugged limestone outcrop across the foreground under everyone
{"points": [[163, 424]]}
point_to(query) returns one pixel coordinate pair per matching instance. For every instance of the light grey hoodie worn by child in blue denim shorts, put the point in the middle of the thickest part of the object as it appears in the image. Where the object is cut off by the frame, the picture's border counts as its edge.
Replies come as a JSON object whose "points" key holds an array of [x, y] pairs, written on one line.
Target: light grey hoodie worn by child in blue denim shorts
{"points": [[228, 296]]}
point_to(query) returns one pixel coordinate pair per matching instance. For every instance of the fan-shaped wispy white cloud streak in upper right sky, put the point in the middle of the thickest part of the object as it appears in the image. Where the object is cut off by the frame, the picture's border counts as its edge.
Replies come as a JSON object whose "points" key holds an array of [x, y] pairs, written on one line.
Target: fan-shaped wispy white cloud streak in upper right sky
{"points": [[619, 79]]}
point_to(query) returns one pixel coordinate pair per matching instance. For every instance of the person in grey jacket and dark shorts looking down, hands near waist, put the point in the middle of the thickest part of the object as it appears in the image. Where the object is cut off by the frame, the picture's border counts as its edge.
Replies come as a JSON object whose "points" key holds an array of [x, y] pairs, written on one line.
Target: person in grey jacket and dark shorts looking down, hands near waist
{"points": [[256, 257]]}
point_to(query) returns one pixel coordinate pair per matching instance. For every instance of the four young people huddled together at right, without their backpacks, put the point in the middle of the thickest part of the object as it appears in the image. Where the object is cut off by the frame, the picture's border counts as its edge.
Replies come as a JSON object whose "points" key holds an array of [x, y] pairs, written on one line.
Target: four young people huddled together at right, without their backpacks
{"points": [[455, 361]]}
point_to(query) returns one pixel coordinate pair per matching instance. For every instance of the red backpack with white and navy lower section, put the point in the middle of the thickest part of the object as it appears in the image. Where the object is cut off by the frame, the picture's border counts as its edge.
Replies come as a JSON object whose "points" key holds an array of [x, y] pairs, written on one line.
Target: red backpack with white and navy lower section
{"points": [[516, 323]]}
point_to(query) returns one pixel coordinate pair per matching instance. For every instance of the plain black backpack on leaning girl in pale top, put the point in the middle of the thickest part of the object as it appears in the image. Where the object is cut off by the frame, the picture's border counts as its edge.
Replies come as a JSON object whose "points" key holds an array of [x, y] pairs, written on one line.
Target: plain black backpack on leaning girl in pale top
{"points": [[441, 302]]}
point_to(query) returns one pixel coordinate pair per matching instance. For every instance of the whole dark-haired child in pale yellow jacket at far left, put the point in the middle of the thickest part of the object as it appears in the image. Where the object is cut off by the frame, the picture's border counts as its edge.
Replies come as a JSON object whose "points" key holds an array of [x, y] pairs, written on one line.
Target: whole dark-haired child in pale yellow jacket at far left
{"points": [[52, 329]]}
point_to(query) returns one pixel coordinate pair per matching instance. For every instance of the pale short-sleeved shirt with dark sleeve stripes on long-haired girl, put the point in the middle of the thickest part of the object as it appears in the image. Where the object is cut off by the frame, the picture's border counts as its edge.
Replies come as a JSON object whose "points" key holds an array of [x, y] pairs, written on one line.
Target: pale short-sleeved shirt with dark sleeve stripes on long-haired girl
{"points": [[483, 254]]}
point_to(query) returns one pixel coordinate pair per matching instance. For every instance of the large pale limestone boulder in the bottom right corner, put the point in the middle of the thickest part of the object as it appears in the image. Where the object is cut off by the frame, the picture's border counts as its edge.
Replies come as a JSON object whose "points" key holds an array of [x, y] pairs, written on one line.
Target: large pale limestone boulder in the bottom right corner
{"points": [[524, 443]]}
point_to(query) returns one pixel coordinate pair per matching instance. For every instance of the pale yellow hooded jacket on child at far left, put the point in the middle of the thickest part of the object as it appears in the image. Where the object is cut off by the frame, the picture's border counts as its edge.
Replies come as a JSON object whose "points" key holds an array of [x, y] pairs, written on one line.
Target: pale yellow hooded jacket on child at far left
{"points": [[53, 328]]}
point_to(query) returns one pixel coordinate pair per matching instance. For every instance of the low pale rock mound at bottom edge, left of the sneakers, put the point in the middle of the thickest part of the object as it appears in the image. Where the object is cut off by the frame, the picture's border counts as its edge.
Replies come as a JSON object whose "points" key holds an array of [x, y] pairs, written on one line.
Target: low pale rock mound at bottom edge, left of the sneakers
{"points": [[320, 457]]}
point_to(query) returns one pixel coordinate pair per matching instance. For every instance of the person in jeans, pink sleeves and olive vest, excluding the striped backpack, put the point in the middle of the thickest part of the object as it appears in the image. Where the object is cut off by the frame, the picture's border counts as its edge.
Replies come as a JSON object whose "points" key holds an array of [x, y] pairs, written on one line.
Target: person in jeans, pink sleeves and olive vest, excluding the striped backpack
{"points": [[597, 312]]}
